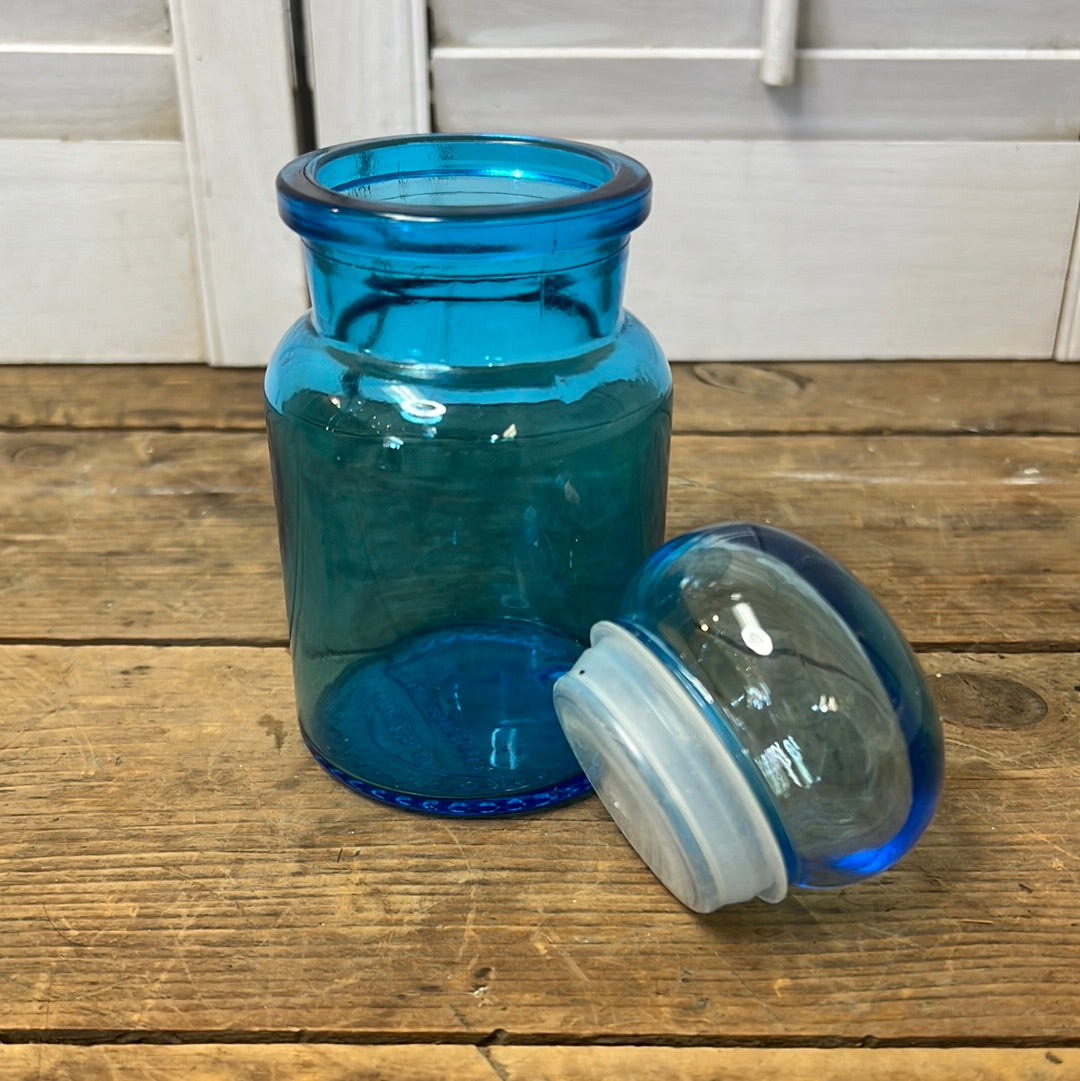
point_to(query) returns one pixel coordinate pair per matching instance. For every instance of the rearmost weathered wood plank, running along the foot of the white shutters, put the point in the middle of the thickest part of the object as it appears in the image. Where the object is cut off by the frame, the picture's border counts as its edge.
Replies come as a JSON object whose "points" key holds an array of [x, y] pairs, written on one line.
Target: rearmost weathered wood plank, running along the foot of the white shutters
{"points": [[970, 397]]}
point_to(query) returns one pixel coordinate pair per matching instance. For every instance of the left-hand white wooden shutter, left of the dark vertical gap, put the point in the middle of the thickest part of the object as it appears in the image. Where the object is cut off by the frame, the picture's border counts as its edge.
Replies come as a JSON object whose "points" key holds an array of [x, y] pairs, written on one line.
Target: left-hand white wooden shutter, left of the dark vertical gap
{"points": [[139, 143]]}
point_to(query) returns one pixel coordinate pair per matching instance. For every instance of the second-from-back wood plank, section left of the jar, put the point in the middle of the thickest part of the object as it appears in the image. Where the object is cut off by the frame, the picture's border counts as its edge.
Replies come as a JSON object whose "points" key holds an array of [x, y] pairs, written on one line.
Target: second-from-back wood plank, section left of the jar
{"points": [[138, 536]]}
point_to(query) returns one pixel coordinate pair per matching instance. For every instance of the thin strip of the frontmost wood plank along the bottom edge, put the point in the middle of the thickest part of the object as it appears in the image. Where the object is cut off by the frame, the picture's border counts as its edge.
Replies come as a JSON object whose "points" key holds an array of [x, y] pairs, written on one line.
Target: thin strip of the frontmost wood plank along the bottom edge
{"points": [[438, 1063]]}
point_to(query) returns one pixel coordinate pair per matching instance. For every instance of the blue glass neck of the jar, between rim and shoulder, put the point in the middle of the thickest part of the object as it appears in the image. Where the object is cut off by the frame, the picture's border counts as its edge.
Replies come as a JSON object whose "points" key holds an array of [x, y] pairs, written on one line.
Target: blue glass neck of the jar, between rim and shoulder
{"points": [[469, 311]]}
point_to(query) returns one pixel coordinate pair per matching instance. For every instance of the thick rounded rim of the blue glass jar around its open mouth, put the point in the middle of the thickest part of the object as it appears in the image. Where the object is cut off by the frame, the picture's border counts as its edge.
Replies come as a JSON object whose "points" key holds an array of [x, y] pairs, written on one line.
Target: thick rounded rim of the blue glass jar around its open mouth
{"points": [[417, 185]]}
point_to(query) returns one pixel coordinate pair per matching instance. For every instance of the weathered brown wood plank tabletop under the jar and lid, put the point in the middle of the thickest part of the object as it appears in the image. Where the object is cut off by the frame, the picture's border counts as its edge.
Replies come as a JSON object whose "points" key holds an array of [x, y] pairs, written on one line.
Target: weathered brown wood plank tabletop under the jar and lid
{"points": [[184, 891]]}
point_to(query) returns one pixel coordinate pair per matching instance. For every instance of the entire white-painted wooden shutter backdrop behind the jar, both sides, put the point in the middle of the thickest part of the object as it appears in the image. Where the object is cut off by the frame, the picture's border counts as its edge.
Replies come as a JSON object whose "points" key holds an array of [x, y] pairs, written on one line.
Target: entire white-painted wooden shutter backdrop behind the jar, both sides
{"points": [[914, 193]]}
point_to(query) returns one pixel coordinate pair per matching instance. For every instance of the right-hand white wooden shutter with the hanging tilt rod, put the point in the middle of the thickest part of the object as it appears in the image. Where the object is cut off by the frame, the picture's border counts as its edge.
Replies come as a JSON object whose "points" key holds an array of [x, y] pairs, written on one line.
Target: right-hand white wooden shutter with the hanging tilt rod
{"points": [[913, 193]]}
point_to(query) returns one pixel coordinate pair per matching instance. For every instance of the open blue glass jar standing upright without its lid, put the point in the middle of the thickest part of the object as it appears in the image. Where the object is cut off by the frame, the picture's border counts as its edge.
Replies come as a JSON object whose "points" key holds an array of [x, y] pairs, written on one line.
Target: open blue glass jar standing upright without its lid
{"points": [[470, 445]]}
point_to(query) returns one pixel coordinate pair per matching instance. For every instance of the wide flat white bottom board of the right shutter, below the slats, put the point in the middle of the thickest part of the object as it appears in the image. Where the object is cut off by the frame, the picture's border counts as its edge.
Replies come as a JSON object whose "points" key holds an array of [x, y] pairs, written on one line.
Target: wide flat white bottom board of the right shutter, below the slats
{"points": [[855, 250]]}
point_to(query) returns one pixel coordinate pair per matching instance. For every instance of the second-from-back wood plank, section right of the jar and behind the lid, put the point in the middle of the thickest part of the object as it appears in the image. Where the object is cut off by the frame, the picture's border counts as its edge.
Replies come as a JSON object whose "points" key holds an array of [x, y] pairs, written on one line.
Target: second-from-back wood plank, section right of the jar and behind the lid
{"points": [[965, 540]]}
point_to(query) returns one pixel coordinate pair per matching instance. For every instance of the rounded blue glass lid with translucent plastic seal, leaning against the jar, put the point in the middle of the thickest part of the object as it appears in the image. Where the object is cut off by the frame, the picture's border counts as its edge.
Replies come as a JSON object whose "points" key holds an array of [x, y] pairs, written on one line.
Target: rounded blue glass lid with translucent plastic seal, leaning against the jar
{"points": [[754, 720]]}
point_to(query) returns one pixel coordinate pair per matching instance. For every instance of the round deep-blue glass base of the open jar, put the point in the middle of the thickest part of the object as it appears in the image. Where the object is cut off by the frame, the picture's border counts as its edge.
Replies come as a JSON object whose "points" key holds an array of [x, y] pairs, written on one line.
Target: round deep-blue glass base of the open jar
{"points": [[457, 722]]}
